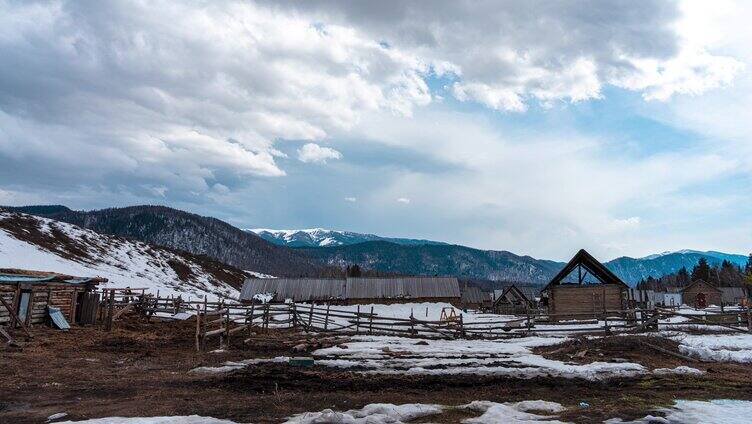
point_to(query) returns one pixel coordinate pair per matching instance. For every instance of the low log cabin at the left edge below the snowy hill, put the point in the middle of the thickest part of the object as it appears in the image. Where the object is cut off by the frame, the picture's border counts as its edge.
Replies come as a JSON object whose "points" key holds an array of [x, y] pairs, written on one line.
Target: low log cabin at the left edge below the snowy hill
{"points": [[29, 293]]}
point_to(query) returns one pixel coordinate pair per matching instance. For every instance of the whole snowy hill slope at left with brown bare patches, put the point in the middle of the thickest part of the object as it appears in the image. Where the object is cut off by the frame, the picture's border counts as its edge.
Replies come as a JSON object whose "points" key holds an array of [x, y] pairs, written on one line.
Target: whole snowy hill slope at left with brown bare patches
{"points": [[35, 243]]}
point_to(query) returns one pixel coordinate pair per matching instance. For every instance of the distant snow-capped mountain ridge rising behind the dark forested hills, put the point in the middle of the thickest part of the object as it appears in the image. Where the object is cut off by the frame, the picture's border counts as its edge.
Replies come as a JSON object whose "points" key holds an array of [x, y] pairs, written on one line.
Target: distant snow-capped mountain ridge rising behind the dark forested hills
{"points": [[319, 237]]}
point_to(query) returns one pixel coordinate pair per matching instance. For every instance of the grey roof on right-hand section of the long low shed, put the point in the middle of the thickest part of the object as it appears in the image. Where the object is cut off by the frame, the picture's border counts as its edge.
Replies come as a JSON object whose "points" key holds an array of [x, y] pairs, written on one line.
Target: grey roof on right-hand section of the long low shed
{"points": [[403, 287]]}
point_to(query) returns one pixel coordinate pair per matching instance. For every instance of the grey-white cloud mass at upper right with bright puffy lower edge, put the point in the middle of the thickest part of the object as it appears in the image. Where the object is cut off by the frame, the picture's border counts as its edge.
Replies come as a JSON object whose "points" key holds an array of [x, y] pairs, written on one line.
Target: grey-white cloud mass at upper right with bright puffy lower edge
{"points": [[506, 55]]}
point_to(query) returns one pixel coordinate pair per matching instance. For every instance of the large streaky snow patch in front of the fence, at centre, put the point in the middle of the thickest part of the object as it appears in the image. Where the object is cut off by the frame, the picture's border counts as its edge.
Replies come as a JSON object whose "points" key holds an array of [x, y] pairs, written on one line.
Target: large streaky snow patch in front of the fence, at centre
{"points": [[513, 358]]}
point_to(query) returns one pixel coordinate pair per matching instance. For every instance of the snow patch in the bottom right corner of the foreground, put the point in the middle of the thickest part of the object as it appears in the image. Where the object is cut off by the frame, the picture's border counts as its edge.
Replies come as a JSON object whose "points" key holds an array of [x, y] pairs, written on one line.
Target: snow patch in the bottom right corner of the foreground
{"points": [[699, 412]]}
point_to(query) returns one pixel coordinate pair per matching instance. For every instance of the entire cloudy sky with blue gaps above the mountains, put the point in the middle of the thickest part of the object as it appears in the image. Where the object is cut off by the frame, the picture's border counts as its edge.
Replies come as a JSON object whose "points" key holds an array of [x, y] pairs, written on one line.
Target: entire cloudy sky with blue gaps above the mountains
{"points": [[538, 127]]}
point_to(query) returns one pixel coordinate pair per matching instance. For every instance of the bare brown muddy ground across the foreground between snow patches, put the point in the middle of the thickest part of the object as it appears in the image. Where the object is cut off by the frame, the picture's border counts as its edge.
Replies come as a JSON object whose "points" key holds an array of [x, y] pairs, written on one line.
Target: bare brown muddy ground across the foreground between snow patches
{"points": [[141, 369]]}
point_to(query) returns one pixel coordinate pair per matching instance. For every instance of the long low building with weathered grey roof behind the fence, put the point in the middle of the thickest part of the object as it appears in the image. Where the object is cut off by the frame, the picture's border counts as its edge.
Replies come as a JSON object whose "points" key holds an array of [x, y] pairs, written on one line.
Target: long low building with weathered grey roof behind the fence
{"points": [[354, 290]]}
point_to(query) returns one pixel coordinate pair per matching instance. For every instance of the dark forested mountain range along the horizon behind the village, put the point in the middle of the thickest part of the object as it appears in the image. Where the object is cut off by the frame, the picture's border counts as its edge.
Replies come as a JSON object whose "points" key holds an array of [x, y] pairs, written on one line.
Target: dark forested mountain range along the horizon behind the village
{"points": [[320, 252]]}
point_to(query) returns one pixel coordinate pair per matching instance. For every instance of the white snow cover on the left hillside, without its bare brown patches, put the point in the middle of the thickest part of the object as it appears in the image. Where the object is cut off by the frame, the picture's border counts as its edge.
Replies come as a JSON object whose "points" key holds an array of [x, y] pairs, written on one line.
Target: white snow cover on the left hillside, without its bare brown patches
{"points": [[124, 262]]}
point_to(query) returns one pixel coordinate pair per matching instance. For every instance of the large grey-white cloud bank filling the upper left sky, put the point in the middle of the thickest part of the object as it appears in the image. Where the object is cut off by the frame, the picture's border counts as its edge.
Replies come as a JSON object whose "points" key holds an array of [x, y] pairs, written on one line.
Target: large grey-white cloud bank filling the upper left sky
{"points": [[179, 94]]}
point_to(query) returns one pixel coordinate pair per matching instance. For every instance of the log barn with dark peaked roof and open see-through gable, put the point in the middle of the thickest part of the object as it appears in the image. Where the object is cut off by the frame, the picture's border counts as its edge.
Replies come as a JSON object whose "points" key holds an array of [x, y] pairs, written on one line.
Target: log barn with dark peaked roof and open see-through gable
{"points": [[594, 291]]}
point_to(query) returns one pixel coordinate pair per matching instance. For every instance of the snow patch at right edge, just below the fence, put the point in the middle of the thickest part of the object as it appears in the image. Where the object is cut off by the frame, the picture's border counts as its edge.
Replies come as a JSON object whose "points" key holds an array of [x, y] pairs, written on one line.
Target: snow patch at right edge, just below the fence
{"points": [[715, 347]]}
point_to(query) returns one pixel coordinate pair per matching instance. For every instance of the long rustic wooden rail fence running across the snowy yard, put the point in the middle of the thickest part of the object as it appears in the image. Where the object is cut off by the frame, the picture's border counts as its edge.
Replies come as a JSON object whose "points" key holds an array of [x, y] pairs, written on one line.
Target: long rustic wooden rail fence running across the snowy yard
{"points": [[222, 320]]}
